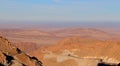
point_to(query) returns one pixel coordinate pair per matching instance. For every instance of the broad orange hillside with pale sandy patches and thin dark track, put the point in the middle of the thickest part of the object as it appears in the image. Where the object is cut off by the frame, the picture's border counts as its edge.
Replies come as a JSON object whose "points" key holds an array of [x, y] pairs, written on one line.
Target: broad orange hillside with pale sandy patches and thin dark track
{"points": [[79, 51]]}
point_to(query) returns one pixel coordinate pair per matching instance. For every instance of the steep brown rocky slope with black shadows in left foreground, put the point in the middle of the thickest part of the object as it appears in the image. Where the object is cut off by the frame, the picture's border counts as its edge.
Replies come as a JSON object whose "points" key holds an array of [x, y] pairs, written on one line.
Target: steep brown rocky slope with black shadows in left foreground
{"points": [[12, 56]]}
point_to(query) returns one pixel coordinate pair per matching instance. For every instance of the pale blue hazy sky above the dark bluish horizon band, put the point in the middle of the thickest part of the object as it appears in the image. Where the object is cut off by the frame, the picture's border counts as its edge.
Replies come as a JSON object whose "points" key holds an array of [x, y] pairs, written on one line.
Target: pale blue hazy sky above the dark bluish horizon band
{"points": [[60, 10]]}
